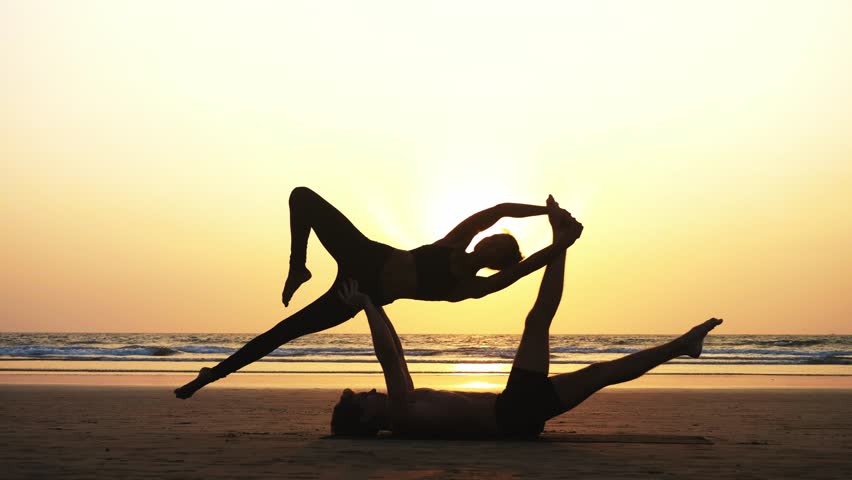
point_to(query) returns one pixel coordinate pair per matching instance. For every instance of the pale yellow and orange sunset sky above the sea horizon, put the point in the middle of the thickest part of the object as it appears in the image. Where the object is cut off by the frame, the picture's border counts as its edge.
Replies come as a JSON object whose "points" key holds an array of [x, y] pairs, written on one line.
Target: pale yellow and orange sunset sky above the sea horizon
{"points": [[147, 151]]}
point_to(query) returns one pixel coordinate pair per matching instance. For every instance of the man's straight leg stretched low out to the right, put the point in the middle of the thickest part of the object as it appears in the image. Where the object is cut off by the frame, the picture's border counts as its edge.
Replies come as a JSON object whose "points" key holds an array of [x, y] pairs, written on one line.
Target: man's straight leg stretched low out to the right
{"points": [[572, 388]]}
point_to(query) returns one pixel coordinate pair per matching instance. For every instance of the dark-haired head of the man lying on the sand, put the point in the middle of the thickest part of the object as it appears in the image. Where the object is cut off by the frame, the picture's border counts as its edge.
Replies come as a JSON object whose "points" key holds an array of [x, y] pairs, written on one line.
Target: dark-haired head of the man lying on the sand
{"points": [[361, 414]]}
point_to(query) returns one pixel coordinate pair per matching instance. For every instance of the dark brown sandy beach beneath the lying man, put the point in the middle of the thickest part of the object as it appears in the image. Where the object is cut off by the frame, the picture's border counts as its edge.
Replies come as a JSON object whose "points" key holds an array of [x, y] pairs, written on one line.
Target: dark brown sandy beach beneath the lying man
{"points": [[77, 431]]}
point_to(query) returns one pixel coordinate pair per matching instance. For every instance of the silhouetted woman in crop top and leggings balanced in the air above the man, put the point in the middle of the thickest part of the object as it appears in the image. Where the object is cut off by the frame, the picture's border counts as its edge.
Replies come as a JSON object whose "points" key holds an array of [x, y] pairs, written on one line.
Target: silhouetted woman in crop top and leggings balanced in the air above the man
{"points": [[442, 270]]}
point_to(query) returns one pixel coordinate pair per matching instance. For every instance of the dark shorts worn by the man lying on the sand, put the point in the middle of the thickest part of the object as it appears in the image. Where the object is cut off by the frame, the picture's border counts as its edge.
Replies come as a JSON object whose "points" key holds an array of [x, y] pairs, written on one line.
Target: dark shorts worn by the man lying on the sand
{"points": [[527, 402]]}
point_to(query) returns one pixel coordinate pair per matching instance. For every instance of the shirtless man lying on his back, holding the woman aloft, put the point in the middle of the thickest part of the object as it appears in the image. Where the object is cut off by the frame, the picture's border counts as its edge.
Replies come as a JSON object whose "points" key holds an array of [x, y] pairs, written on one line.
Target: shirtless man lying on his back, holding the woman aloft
{"points": [[530, 397]]}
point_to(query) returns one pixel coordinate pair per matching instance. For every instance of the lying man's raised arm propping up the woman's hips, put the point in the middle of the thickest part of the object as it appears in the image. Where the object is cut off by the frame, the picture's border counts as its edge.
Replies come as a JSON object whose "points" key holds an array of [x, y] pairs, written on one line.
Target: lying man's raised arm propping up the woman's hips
{"points": [[393, 364]]}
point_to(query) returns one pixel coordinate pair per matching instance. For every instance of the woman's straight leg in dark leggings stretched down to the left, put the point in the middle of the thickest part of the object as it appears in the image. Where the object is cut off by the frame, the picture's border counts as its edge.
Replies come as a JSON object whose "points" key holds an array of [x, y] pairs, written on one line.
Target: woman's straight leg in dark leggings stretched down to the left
{"points": [[325, 312]]}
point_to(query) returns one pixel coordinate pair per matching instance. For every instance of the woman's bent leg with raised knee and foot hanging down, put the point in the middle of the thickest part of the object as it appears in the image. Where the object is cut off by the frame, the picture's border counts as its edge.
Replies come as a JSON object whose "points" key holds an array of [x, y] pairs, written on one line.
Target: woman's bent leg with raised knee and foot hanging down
{"points": [[337, 234]]}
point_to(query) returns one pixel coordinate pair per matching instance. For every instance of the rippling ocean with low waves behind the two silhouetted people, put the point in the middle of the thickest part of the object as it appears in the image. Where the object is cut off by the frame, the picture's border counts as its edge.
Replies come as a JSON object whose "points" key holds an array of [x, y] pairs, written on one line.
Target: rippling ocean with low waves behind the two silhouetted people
{"points": [[426, 354]]}
